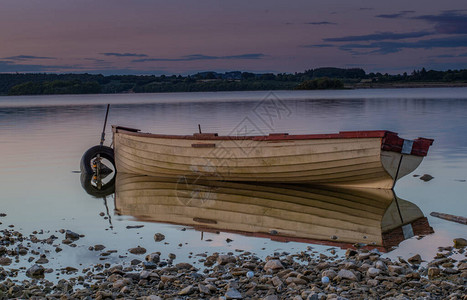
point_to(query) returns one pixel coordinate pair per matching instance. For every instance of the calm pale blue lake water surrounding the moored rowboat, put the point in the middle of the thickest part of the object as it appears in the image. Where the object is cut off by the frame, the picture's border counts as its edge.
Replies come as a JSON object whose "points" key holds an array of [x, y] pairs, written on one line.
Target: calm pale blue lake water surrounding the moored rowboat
{"points": [[42, 139]]}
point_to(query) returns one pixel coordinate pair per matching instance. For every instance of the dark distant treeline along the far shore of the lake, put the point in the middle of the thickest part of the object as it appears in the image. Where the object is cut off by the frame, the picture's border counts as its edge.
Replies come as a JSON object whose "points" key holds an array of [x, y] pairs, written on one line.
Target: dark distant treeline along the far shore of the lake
{"points": [[320, 78]]}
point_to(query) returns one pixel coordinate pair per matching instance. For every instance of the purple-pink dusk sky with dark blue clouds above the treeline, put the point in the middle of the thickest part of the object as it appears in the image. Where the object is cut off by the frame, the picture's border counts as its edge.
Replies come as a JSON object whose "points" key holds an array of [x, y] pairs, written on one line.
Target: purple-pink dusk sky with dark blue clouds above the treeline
{"points": [[186, 37]]}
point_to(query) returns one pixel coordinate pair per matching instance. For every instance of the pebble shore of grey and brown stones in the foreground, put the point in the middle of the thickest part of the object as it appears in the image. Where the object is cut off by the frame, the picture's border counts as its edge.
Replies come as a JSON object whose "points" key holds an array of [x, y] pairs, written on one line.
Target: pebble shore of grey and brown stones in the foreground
{"points": [[360, 274]]}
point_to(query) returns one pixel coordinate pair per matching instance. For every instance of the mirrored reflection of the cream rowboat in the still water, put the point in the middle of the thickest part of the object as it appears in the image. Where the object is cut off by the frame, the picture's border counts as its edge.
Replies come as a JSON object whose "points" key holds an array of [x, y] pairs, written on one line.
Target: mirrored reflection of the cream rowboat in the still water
{"points": [[281, 212]]}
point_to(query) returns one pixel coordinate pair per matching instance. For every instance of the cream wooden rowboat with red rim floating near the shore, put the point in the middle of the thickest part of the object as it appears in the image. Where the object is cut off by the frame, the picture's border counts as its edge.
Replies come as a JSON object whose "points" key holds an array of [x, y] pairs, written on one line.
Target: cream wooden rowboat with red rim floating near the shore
{"points": [[375, 159]]}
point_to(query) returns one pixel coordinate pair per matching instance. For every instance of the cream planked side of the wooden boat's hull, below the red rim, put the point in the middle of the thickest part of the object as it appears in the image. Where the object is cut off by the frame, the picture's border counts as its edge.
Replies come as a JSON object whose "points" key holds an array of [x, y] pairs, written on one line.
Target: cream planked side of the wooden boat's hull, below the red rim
{"points": [[337, 161]]}
